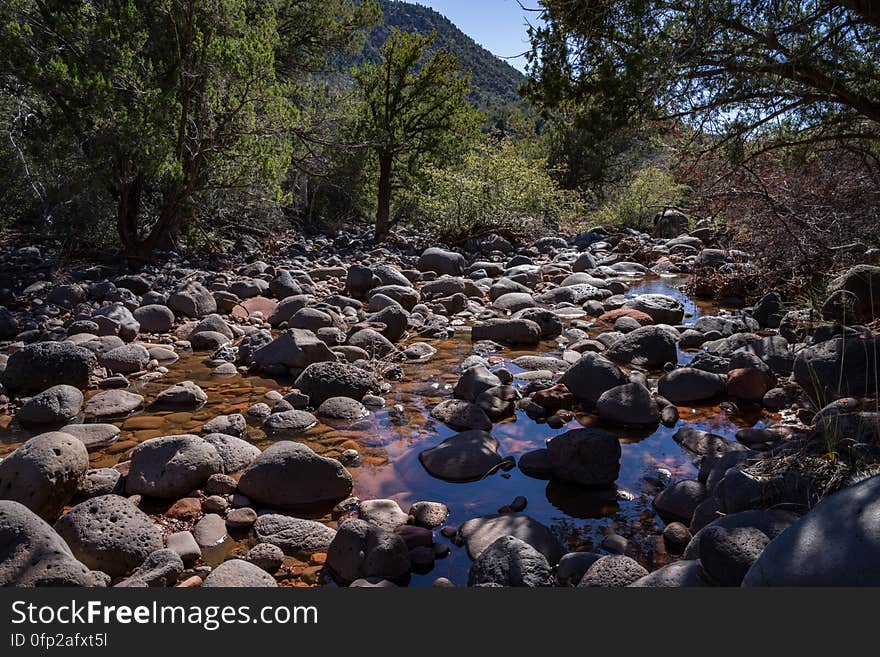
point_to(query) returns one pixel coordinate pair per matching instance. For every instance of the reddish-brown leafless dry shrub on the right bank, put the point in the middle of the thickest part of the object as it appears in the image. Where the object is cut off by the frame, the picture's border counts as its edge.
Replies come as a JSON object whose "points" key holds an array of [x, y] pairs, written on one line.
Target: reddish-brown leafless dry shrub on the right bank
{"points": [[804, 214]]}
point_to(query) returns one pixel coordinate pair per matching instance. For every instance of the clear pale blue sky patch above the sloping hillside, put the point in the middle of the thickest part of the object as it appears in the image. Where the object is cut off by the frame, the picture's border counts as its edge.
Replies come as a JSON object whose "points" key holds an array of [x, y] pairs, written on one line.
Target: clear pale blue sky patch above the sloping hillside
{"points": [[497, 25]]}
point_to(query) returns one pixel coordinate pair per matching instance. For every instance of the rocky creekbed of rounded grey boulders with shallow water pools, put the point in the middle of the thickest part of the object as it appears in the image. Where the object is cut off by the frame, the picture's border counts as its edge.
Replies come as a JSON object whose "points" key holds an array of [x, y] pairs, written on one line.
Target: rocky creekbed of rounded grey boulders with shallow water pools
{"points": [[558, 413]]}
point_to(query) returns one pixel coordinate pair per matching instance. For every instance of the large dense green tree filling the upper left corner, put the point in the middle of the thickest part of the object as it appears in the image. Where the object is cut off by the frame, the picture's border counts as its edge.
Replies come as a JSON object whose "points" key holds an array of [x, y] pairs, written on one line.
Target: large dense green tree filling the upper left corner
{"points": [[166, 100]]}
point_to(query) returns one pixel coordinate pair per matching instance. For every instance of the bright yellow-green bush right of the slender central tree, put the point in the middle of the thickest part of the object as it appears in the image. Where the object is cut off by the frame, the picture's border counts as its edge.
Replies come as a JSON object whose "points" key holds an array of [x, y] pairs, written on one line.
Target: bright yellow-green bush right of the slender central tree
{"points": [[501, 186]]}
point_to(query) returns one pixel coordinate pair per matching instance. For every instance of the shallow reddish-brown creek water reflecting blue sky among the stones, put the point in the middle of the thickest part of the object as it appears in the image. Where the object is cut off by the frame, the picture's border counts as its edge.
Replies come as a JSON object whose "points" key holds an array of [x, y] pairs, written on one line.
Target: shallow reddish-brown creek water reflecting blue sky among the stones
{"points": [[390, 439]]}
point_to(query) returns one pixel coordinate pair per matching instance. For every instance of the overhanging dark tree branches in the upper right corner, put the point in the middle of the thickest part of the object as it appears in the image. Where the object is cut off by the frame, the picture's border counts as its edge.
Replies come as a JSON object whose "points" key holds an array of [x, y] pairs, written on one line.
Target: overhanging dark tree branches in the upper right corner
{"points": [[792, 71]]}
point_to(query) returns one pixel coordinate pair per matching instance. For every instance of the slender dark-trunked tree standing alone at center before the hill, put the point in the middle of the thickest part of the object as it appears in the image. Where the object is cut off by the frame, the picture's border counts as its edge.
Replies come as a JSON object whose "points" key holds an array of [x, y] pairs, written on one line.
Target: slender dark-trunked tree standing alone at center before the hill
{"points": [[415, 112]]}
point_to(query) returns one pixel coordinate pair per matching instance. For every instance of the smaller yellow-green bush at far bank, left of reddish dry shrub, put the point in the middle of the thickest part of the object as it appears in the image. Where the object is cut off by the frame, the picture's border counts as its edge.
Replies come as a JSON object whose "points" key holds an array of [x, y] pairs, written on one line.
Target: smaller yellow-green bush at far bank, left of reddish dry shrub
{"points": [[649, 191]]}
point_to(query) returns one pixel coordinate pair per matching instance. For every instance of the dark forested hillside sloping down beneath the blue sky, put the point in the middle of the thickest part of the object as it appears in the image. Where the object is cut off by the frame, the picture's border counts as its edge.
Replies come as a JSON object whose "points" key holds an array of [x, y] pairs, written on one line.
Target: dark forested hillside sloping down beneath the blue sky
{"points": [[493, 81]]}
